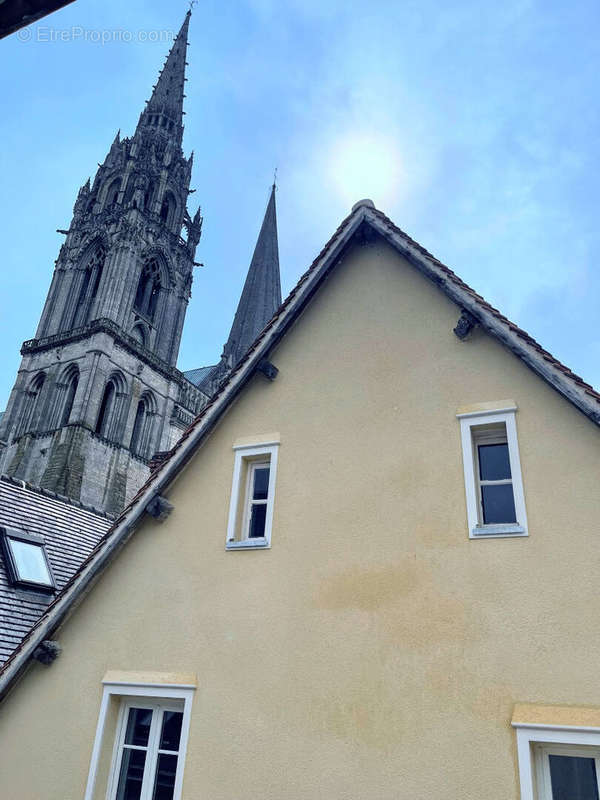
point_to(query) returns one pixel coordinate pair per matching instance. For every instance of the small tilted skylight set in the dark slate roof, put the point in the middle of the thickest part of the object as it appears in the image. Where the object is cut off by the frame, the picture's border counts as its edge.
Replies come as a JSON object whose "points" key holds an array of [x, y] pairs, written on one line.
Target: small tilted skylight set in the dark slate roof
{"points": [[26, 560]]}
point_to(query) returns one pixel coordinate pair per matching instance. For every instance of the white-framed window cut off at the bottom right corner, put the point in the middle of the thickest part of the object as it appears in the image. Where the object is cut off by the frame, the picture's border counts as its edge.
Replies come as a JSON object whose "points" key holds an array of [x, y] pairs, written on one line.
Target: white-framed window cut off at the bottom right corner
{"points": [[561, 763]]}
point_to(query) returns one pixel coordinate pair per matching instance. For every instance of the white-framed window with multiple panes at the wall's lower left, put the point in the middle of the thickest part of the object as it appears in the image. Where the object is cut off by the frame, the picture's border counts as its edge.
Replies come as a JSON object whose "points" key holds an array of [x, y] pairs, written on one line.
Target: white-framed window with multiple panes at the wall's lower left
{"points": [[148, 744]]}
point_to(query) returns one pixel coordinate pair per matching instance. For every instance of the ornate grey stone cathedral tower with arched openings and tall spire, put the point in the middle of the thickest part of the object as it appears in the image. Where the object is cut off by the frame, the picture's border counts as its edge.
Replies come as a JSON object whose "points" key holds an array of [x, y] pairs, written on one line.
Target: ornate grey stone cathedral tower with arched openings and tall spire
{"points": [[97, 392]]}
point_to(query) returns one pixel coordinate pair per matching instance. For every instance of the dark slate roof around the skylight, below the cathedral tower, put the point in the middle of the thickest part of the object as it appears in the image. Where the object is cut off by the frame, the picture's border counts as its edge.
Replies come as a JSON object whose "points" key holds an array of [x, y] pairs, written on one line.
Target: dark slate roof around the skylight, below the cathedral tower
{"points": [[70, 534]]}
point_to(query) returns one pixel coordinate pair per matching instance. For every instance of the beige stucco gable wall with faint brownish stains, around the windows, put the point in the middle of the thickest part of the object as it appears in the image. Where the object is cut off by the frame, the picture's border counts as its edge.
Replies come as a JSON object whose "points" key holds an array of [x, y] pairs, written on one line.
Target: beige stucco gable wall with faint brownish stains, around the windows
{"points": [[374, 651]]}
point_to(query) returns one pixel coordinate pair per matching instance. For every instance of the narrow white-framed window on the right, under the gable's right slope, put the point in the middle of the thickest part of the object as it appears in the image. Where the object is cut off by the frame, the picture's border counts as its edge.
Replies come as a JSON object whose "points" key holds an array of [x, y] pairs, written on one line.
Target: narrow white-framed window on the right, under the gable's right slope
{"points": [[493, 480]]}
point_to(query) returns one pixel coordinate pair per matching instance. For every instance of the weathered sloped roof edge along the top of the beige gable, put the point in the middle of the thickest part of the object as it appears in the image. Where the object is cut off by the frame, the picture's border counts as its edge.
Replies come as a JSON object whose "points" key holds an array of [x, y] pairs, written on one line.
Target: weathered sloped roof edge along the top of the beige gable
{"points": [[571, 386]]}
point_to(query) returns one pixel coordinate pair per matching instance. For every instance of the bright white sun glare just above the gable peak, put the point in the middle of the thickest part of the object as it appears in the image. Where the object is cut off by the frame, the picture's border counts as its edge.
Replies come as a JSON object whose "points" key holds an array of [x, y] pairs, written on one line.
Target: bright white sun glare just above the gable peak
{"points": [[366, 165]]}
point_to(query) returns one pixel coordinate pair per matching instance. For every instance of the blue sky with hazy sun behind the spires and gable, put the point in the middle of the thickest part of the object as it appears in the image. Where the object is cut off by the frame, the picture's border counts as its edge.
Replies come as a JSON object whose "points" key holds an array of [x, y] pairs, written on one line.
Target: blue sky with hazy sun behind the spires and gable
{"points": [[473, 125]]}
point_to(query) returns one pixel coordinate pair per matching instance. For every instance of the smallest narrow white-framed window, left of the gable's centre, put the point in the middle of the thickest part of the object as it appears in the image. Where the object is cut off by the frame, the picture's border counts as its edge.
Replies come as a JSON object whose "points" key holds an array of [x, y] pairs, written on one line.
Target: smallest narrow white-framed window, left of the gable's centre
{"points": [[252, 496]]}
